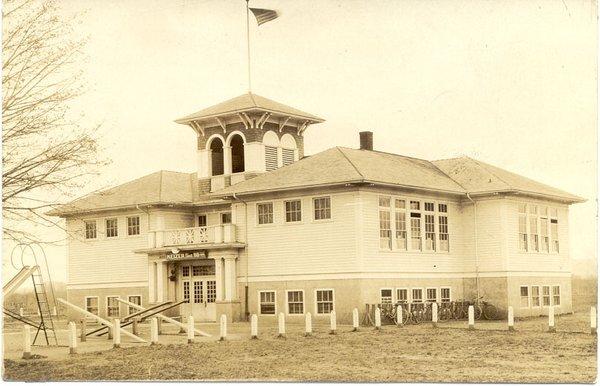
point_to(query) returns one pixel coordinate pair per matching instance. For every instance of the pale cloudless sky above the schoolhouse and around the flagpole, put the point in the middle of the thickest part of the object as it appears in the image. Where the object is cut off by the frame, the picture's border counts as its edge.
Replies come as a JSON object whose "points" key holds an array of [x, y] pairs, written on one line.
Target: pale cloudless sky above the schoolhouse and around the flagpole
{"points": [[511, 83]]}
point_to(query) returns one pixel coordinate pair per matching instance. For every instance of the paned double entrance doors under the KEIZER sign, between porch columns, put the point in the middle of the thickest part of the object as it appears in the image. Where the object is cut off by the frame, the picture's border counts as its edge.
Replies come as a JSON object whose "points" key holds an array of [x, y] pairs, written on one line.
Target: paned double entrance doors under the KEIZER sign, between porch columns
{"points": [[198, 284]]}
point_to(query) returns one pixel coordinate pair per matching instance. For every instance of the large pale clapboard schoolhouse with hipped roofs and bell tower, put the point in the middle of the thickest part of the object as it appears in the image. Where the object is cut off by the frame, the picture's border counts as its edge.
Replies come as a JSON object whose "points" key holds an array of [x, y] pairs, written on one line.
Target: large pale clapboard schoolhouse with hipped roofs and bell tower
{"points": [[262, 228]]}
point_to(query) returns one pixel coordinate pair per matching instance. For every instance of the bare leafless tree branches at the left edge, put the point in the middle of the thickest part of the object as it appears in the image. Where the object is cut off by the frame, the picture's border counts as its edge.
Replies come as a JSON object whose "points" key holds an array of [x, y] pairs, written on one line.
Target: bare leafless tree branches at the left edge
{"points": [[46, 152]]}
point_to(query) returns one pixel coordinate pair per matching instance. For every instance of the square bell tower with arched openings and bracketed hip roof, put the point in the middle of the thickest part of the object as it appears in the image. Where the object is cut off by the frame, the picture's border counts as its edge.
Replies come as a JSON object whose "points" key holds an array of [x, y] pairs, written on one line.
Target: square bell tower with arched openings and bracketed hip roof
{"points": [[244, 136]]}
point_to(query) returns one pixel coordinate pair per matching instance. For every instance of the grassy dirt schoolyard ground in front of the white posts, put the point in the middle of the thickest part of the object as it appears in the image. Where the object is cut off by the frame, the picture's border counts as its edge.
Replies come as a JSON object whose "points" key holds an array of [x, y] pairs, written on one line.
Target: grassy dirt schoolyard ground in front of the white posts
{"points": [[449, 353]]}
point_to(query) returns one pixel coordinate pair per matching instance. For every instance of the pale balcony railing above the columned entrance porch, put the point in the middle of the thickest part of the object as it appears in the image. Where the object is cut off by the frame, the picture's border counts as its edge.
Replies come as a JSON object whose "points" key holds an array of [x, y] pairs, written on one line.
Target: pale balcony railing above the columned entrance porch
{"points": [[216, 234]]}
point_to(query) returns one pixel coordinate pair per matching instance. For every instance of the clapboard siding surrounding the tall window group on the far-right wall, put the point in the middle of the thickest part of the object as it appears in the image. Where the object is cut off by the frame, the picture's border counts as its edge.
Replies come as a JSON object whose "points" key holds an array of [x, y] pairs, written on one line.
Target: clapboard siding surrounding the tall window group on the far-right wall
{"points": [[537, 261]]}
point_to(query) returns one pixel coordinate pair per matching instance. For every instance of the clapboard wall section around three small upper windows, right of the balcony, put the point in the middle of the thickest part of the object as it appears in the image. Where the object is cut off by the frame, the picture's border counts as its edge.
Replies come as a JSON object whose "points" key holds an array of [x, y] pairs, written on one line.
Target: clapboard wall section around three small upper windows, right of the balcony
{"points": [[303, 248]]}
